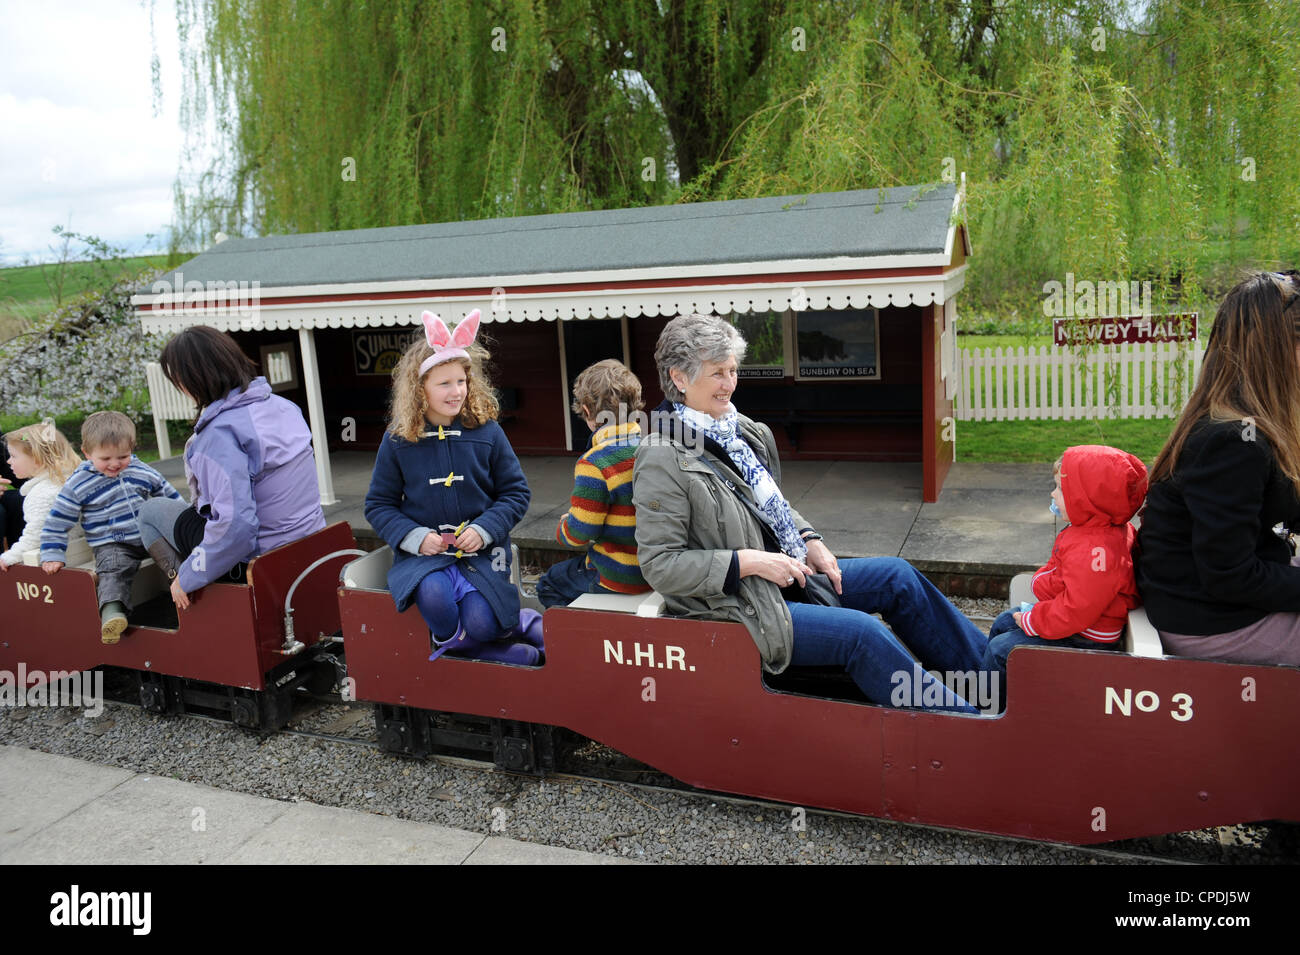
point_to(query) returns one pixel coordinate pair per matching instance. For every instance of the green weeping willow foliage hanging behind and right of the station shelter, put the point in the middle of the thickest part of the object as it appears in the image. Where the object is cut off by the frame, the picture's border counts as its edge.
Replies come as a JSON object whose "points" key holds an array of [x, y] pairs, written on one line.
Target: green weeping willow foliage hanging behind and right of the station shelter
{"points": [[1099, 137]]}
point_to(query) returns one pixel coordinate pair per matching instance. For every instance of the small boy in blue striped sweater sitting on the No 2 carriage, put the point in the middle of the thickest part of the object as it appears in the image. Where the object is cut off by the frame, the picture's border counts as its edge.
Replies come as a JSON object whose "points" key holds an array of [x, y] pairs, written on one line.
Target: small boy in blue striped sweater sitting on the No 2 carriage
{"points": [[105, 494]]}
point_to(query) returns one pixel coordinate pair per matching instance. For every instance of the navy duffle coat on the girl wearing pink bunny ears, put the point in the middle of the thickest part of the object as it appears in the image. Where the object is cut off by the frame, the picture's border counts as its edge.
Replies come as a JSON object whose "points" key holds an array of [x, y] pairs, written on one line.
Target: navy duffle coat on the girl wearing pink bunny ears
{"points": [[410, 490]]}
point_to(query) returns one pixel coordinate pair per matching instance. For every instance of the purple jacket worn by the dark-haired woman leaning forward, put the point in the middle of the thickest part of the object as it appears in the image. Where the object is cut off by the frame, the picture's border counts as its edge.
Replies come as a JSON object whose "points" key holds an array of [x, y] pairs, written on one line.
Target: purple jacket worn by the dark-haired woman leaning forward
{"points": [[252, 462]]}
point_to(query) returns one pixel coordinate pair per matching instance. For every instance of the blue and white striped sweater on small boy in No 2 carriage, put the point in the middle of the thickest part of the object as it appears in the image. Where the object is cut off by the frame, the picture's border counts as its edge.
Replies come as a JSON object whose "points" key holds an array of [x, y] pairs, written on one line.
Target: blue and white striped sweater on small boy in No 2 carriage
{"points": [[106, 507]]}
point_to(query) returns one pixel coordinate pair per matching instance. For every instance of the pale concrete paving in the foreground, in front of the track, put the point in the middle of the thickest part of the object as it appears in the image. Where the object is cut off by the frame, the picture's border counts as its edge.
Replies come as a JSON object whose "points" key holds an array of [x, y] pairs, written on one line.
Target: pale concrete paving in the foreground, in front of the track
{"points": [[62, 811]]}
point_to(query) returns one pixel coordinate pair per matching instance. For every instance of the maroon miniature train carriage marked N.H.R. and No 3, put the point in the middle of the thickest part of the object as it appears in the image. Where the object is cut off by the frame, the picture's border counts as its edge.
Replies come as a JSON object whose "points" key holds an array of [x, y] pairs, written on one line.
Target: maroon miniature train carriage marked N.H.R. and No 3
{"points": [[1093, 748]]}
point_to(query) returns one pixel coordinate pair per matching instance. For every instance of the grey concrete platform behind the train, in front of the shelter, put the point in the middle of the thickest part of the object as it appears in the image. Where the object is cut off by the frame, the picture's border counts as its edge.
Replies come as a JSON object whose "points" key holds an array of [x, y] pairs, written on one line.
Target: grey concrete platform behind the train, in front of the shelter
{"points": [[991, 520]]}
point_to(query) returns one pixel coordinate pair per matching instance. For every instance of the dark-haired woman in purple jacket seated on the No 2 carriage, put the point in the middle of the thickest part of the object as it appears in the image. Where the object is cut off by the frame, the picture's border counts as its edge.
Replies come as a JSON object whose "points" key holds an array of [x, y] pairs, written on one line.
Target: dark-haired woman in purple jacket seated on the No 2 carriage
{"points": [[249, 465]]}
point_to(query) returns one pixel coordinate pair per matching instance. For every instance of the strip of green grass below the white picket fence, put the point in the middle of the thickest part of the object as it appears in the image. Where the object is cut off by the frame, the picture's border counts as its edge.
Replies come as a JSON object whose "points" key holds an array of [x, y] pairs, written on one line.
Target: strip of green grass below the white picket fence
{"points": [[1045, 441]]}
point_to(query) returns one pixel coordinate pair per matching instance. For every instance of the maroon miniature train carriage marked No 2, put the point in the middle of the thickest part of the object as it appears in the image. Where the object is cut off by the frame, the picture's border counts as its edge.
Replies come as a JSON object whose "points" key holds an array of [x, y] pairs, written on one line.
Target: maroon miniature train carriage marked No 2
{"points": [[227, 653]]}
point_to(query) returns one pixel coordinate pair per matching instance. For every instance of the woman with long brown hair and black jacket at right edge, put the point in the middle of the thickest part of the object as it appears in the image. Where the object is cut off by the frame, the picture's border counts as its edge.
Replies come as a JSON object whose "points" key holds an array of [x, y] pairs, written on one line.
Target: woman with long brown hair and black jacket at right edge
{"points": [[1217, 580]]}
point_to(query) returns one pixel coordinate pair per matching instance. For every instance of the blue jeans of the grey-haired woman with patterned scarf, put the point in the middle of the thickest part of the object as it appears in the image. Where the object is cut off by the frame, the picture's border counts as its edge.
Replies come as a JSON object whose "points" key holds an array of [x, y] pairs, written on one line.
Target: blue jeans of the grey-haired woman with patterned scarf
{"points": [[937, 632]]}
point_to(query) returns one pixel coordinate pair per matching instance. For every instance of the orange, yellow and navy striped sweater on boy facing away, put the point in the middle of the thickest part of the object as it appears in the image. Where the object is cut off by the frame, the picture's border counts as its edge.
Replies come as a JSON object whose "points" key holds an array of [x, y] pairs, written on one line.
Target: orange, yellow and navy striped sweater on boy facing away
{"points": [[601, 514]]}
